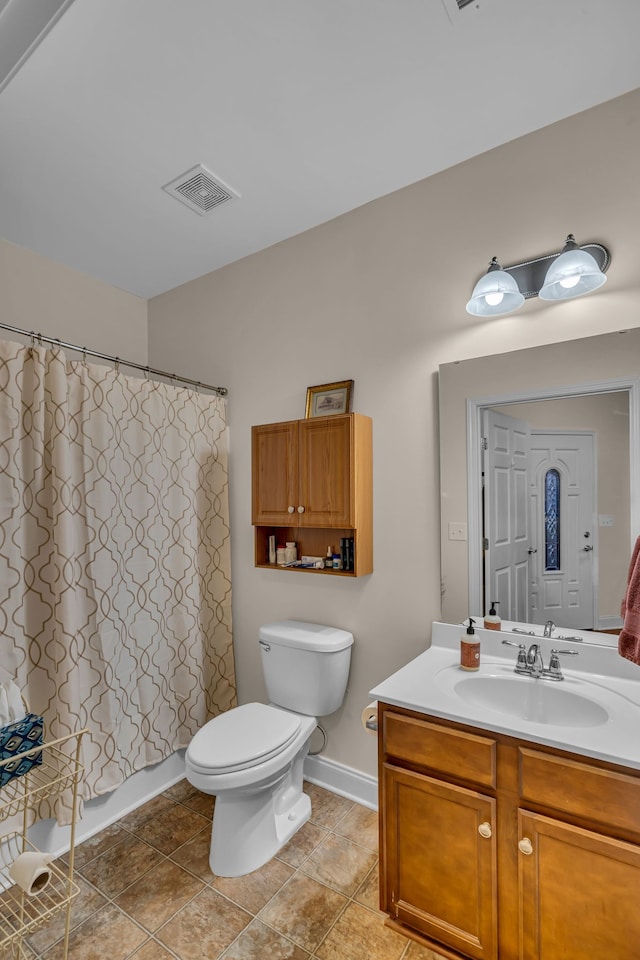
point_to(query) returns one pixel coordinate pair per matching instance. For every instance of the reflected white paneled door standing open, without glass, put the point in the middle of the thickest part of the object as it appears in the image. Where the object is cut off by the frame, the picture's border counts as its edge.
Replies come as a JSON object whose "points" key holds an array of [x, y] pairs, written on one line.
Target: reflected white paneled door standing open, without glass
{"points": [[506, 515]]}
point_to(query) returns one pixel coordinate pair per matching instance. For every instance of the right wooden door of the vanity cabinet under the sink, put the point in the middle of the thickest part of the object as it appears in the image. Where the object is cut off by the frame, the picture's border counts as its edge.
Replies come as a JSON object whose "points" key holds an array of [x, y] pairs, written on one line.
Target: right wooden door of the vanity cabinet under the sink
{"points": [[577, 892]]}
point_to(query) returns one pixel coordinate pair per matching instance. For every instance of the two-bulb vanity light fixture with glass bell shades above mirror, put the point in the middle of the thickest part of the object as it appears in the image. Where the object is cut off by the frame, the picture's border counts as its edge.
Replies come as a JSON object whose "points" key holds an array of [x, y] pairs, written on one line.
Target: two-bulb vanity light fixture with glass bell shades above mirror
{"points": [[572, 272]]}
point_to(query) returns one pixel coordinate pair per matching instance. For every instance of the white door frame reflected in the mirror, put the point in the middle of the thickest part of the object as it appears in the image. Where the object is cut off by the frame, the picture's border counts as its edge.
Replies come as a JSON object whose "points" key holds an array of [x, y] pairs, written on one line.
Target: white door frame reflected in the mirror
{"points": [[475, 406]]}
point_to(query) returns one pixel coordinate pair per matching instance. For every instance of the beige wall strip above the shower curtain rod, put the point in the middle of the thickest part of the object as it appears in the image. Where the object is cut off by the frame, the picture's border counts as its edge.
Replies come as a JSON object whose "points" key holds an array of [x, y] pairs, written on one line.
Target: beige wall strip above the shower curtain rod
{"points": [[38, 294]]}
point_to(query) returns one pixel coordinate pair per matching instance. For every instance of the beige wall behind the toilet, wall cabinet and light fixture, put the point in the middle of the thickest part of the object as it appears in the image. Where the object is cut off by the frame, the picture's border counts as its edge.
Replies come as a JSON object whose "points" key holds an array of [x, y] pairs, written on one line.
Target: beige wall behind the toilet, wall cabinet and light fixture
{"points": [[378, 295]]}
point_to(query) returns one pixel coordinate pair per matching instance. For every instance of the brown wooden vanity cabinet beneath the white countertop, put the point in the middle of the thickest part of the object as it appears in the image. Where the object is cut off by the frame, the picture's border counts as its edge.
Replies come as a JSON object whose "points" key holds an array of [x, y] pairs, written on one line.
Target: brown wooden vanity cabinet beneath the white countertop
{"points": [[496, 848]]}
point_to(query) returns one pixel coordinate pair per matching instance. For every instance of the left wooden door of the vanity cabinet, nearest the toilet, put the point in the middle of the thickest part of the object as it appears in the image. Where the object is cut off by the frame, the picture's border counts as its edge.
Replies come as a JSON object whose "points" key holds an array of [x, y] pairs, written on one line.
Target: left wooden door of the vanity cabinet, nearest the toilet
{"points": [[439, 861]]}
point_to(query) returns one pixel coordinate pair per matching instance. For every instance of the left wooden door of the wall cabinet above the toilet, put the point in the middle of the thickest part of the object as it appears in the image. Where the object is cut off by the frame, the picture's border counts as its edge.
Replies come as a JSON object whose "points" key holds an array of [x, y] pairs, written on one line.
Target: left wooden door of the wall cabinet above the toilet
{"points": [[275, 473]]}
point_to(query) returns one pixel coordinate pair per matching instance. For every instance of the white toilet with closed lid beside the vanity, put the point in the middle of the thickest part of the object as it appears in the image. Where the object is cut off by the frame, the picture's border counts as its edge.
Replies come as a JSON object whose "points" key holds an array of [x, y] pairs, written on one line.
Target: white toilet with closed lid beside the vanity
{"points": [[251, 757]]}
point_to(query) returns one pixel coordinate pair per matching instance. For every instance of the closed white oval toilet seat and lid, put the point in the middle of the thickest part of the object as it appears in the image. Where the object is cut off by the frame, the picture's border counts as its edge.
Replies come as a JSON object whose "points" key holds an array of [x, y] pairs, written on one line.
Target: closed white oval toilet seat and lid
{"points": [[241, 738]]}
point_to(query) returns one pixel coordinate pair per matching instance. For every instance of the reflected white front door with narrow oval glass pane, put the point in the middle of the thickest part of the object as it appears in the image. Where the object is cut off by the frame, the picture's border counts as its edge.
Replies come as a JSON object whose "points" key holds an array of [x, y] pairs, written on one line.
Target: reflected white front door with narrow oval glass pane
{"points": [[562, 575]]}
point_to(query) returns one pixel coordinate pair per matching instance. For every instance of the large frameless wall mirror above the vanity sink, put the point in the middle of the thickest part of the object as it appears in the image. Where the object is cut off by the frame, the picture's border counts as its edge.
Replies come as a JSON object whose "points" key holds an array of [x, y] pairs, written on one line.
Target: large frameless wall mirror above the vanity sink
{"points": [[539, 472]]}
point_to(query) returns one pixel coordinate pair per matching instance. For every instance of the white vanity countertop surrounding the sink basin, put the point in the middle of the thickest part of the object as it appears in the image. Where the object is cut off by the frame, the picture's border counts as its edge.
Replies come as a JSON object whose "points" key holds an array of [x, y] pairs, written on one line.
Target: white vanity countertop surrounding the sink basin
{"points": [[427, 685]]}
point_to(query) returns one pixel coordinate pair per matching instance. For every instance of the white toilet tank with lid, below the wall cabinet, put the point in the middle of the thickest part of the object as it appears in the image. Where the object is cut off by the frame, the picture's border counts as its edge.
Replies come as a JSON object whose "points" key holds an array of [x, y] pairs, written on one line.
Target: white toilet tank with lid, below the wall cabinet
{"points": [[306, 665]]}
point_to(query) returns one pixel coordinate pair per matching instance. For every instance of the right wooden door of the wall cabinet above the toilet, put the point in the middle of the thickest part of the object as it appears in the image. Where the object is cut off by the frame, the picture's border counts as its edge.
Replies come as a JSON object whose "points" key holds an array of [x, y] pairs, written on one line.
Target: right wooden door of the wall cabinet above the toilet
{"points": [[325, 472]]}
